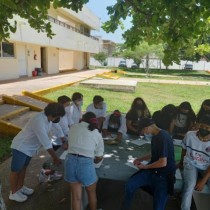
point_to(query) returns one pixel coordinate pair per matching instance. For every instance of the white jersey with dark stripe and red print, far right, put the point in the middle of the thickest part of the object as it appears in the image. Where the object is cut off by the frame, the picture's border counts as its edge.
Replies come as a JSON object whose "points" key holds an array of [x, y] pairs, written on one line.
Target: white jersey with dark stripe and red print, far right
{"points": [[198, 152]]}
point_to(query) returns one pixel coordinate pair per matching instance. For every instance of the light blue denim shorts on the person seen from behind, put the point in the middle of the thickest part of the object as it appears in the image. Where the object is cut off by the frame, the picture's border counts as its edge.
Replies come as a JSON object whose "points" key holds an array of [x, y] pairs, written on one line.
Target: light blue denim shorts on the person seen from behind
{"points": [[79, 169]]}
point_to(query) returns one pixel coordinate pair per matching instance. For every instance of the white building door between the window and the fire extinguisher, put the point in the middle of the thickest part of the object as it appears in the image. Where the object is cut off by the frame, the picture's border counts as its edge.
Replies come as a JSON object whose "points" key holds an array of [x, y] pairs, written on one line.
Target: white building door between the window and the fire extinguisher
{"points": [[21, 57]]}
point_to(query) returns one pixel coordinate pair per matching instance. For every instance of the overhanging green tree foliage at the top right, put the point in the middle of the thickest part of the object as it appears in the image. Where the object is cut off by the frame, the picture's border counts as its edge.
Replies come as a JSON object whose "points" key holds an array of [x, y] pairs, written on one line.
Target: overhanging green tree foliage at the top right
{"points": [[175, 23]]}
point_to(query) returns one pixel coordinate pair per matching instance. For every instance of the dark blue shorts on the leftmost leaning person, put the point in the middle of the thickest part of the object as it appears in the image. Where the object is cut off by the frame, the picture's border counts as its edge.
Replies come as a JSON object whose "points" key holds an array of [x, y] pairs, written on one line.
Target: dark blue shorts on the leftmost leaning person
{"points": [[19, 160]]}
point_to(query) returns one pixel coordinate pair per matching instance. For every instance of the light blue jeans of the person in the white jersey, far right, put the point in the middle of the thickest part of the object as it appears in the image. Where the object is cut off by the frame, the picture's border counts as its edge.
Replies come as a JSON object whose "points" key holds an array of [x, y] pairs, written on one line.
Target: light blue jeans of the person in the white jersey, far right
{"points": [[190, 178]]}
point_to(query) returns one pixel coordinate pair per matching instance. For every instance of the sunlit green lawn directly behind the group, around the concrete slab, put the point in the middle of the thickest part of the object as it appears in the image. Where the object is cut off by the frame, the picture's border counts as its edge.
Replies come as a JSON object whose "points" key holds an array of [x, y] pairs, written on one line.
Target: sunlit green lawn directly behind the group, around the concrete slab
{"points": [[155, 95]]}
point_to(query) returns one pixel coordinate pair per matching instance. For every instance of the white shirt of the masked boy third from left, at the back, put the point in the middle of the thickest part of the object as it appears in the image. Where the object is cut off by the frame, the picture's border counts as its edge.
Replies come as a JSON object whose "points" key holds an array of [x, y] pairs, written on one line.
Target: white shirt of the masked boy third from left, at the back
{"points": [[74, 114]]}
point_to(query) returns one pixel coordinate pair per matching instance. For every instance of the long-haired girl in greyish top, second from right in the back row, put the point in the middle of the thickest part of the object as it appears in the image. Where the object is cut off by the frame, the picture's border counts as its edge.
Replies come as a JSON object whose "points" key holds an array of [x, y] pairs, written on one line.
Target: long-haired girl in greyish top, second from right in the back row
{"points": [[185, 120]]}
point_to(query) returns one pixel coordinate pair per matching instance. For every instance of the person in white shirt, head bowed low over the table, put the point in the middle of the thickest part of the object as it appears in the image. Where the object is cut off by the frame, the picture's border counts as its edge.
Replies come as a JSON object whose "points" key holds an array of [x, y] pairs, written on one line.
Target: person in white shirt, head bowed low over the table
{"points": [[114, 123]]}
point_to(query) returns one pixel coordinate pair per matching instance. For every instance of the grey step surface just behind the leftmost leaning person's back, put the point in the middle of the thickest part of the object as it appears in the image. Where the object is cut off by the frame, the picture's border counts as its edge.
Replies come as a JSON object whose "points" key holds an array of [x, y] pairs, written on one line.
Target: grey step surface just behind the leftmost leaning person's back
{"points": [[21, 119]]}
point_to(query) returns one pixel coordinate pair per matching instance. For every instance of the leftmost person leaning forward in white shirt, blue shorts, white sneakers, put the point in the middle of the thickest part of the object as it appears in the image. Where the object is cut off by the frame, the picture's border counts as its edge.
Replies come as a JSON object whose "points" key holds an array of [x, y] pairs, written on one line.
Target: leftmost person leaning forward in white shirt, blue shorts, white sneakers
{"points": [[27, 143]]}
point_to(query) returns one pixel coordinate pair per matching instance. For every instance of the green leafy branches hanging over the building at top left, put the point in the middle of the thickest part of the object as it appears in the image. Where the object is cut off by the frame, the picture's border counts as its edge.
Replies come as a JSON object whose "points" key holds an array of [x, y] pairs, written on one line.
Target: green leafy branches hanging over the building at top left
{"points": [[35, 11]]}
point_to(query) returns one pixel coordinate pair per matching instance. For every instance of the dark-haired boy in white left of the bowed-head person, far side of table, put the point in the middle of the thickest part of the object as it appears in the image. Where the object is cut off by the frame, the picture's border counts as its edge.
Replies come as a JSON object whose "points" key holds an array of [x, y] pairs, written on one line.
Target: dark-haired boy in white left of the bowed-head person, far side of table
{"points": [[98, 107]]}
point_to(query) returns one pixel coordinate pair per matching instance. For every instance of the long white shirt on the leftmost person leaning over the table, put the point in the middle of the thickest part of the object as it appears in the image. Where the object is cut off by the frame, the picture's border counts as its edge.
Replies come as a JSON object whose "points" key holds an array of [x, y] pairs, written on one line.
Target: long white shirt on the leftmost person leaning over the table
{"points": [[34, 135]]}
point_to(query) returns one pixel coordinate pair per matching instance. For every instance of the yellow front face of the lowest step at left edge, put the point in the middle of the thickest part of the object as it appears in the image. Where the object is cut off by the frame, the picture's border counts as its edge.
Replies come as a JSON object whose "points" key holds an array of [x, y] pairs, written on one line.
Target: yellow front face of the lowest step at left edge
{"points": [[9, 128]]}
